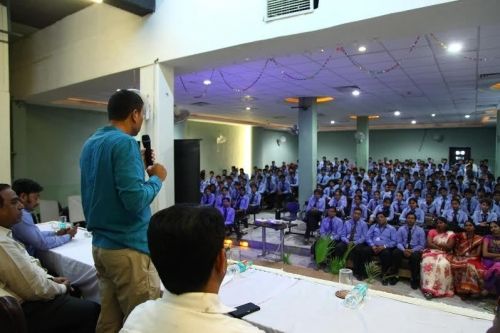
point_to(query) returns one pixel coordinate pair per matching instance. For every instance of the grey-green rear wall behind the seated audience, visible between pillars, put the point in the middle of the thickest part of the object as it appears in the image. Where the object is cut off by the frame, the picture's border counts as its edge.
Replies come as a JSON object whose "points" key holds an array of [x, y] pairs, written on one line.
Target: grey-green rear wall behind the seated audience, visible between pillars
{"points": [[400, 143]]}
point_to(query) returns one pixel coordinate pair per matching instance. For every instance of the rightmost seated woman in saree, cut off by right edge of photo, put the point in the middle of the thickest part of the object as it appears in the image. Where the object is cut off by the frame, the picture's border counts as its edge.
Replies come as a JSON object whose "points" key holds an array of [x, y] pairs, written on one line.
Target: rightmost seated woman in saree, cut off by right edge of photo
{"points": [[491, 259]]}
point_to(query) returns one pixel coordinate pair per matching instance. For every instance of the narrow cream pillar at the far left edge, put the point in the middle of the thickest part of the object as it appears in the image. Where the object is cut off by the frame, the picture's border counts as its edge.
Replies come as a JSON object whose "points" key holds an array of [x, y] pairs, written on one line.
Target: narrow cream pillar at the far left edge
{"points": [[5, 172]]}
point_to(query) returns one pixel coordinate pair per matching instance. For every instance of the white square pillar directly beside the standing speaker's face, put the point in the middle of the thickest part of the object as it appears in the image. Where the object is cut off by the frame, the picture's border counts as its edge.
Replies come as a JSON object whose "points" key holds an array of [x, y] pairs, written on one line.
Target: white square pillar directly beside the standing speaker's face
{"points": [[157, 83]]}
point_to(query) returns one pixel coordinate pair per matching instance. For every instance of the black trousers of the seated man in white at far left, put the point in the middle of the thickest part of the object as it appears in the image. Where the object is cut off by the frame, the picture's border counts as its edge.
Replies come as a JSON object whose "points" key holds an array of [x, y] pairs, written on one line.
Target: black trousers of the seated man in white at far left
{"points": [[63, 314]]}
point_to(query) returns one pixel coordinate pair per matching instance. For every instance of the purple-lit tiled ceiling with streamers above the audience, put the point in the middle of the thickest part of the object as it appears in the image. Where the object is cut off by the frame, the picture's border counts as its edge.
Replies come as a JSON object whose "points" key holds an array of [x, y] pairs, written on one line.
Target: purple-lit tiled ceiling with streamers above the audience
{"points": [[415, 75]]}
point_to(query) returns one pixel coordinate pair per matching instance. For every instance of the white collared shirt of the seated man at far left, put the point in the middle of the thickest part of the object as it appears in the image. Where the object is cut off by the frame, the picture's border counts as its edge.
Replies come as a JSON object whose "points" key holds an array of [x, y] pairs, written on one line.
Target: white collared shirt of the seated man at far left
{"points": [[22, 275]]}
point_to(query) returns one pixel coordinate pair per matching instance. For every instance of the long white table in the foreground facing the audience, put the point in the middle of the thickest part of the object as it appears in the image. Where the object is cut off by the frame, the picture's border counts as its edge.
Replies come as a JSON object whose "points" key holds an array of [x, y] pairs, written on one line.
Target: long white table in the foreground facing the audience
{"points": [[291, 303]]}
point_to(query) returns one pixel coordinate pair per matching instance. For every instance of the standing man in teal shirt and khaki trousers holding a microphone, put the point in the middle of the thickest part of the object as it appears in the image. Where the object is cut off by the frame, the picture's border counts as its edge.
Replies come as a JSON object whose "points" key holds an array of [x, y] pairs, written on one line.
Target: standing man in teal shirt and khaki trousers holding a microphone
{"points": [[116, 200]]}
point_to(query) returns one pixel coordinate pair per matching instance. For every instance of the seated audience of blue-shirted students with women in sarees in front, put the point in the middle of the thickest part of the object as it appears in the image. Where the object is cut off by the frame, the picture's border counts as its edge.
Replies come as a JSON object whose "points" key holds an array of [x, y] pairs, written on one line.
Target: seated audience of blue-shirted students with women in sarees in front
{"points": [[420, 191]]}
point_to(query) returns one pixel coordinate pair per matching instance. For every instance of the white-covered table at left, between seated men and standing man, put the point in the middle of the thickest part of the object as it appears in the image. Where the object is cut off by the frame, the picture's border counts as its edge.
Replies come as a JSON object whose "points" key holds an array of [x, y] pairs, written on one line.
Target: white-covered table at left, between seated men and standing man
{"points": [[74, 261]]}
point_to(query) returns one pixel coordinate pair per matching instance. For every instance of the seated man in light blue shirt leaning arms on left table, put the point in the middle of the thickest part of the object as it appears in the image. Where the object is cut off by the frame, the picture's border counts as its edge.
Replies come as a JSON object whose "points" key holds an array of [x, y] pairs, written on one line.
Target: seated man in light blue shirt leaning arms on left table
{"points": [[26, 231]]}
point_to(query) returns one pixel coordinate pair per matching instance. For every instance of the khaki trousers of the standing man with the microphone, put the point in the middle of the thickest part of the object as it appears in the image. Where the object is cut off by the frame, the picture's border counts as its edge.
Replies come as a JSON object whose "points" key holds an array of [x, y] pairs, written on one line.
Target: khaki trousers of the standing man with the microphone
{"points": [[126, 278]]}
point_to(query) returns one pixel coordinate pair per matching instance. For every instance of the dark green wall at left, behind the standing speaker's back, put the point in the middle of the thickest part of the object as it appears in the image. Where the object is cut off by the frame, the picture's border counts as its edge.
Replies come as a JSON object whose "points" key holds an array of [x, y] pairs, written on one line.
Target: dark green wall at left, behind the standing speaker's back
{"points": [[47, 144]]}
